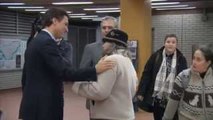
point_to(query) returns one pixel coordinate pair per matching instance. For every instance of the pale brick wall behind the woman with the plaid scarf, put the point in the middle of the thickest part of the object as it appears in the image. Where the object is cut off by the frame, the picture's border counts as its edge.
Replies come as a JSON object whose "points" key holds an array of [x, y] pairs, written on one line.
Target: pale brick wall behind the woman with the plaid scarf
{"points": [[189, 28]]}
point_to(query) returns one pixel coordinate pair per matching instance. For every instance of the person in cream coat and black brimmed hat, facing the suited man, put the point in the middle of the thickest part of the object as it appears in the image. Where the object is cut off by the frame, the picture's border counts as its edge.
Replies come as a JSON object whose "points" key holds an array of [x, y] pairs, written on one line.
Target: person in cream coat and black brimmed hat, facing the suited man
{"points": [[113, 92]]}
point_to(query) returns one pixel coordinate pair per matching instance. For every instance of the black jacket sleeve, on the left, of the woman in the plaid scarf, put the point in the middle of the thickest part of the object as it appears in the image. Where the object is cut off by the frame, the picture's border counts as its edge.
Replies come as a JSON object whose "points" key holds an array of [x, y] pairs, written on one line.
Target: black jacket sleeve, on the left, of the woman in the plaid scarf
{"points": [[146, 76]]}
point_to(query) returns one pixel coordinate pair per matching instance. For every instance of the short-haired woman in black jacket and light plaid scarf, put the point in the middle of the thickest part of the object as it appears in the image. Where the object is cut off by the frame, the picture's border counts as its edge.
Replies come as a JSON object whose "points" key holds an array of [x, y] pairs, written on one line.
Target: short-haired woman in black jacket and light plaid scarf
{"points": [[154, 98]]}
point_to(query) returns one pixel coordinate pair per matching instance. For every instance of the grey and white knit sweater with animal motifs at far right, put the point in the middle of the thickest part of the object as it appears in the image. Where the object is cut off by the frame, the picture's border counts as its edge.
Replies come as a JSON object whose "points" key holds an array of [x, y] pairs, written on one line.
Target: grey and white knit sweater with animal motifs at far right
{"points": [[194, 95]]}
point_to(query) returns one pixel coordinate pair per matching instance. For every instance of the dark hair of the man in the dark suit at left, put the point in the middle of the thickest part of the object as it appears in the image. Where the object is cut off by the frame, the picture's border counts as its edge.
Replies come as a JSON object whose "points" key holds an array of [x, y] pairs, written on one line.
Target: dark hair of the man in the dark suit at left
{"points": [[53, 13]]}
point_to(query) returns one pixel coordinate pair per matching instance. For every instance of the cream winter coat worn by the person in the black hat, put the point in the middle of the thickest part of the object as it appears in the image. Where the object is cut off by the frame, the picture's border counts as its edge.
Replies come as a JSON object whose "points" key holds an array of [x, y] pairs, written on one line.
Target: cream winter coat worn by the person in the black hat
{"points": [[113, 92]]}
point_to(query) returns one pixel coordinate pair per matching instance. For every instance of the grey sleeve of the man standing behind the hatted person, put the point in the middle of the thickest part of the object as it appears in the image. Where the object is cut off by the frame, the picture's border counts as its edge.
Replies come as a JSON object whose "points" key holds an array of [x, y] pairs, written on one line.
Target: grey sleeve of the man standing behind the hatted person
{"points": [[86, 60]]}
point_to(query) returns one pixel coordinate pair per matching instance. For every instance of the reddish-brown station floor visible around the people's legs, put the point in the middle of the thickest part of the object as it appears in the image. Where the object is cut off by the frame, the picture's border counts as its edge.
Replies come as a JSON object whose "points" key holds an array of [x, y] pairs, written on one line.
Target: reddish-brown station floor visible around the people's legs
{"points": [[74, 106]]}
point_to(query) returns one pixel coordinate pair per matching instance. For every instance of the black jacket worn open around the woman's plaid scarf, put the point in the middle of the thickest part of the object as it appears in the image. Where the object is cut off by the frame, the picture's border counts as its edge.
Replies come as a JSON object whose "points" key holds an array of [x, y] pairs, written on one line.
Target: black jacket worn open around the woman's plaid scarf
{"points": [[146, 86]]}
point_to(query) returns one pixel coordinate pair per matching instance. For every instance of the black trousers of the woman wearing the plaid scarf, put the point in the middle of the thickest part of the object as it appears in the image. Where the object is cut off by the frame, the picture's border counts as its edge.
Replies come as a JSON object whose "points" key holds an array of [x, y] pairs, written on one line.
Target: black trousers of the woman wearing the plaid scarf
{"points": [[159, 108]]}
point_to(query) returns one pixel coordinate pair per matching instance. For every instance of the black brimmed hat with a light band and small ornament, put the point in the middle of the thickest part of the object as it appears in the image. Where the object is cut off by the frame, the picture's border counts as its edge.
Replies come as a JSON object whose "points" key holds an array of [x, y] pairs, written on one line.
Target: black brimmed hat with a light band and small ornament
{"points": [[117, 36]]}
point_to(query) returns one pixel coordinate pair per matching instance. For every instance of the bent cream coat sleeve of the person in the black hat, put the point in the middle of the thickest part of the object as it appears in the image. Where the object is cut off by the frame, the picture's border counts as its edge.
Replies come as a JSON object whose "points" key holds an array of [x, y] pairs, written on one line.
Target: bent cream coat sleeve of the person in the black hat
{"points": [[99, 90]]}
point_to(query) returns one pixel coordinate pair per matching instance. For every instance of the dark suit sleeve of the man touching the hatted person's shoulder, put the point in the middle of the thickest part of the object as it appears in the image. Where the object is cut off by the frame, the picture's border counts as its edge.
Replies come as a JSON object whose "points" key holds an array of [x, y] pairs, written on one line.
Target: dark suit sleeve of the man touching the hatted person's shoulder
{"points": [[63, 69]]}
